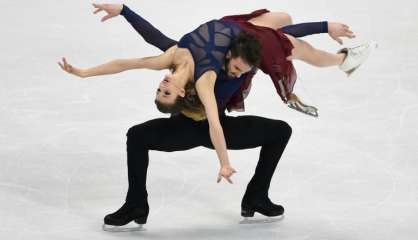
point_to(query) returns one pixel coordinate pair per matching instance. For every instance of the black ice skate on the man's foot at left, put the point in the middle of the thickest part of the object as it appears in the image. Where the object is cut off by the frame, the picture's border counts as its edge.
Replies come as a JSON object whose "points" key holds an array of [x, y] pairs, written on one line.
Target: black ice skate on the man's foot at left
{"points": [[115, 222]]}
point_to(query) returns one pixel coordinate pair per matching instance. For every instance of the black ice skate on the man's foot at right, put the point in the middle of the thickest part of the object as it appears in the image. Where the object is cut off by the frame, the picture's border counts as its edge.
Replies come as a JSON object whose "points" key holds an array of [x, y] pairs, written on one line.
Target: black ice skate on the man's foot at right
{"points": [[262, 205]]}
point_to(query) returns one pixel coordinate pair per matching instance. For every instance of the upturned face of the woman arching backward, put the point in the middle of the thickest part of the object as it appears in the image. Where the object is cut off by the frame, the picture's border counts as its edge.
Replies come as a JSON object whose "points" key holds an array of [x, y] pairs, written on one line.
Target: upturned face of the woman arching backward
{"points": [[169, 89]]}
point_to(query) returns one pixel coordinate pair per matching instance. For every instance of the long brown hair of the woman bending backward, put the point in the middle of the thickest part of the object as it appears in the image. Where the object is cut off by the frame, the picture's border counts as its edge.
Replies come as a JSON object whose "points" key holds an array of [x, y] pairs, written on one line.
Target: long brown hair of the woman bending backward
{"points": [[190, 102]]}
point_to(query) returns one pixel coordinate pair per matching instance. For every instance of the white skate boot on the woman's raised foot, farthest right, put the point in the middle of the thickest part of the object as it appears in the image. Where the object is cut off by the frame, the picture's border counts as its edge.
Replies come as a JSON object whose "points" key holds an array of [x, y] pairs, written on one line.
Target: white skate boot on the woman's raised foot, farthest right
{"points": [[356, 56]]}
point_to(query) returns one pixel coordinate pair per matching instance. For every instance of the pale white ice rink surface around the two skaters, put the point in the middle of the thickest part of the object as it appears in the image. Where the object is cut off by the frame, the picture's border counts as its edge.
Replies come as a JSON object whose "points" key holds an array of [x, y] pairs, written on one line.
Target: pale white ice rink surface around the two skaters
{"points": [[349, 175]]}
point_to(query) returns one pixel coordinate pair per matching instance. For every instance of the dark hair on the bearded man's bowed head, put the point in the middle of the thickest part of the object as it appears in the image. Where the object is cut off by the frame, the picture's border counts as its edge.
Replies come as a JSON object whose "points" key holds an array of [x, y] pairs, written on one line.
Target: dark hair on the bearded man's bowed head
{"points": [[247, 47]]}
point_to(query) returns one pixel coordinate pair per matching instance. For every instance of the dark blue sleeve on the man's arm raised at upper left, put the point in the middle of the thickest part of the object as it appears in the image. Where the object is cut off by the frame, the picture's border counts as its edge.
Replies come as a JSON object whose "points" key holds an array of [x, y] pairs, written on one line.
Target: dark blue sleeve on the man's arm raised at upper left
{"points": [[150, 34]]}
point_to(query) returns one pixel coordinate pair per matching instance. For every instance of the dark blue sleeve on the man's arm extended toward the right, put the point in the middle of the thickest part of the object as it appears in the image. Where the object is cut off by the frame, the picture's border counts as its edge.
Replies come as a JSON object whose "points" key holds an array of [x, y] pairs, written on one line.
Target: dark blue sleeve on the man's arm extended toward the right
{"points": [[305, 29]]}
